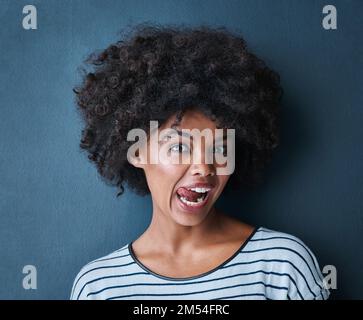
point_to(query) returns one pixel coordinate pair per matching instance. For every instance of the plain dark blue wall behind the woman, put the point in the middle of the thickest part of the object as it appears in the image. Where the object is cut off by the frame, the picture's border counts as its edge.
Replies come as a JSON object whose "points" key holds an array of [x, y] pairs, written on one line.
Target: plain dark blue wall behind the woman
{"points": [[57, 214]]}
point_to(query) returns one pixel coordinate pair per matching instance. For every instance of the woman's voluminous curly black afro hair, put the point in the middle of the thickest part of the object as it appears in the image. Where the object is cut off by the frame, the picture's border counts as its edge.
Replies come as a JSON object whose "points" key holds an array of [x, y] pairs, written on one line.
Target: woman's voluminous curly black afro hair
{"points": [[155, 72]]}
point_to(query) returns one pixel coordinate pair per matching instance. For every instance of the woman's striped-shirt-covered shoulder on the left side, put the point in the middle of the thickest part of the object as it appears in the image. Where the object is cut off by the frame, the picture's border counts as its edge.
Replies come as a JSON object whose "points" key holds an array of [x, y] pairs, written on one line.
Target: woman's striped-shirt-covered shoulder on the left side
{"points": [[91, 277]]}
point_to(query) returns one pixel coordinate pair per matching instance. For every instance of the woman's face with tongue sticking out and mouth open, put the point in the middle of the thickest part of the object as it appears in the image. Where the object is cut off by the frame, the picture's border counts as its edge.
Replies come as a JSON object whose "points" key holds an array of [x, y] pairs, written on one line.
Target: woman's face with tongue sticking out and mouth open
{"points": [[184, 191]]}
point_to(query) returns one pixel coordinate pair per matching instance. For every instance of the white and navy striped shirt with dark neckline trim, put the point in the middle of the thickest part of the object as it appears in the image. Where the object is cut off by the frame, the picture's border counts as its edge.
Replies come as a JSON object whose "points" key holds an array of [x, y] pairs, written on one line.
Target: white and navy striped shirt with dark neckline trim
{"points": [[268, 265]]}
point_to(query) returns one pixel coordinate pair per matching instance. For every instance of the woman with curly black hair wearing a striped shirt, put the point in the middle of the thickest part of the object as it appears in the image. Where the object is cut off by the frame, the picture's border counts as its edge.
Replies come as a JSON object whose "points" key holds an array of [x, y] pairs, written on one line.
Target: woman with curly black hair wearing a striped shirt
{"points": [[188, 79]]}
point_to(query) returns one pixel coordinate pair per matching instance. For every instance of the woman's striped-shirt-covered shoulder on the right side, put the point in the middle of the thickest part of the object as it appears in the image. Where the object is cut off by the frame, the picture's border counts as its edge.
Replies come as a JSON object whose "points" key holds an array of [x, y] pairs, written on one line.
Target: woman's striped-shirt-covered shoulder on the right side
{"points": [[291, 259]]}
